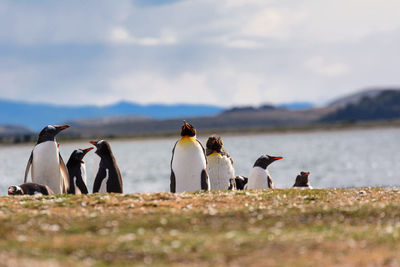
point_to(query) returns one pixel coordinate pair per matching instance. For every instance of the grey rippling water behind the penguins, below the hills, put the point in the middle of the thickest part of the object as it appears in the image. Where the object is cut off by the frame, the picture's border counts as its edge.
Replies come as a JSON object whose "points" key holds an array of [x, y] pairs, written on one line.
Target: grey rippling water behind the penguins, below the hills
{"points": [[335, 159]]}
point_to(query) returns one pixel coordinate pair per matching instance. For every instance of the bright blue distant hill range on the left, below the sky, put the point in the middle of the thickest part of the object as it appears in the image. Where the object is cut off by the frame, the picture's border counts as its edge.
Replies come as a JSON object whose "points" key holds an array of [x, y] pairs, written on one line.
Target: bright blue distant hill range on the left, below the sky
{"points": [[36, 115]]}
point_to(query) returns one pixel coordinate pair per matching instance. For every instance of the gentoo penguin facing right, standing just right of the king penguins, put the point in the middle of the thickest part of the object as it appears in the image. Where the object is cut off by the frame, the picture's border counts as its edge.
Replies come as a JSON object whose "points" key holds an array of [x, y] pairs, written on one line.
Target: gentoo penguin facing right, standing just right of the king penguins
{"points": [[259, 176]]}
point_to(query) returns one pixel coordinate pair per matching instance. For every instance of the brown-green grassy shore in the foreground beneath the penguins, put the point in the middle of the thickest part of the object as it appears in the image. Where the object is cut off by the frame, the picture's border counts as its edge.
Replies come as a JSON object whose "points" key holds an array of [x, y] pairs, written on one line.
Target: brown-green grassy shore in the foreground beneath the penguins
{"points": [[281, 227]]}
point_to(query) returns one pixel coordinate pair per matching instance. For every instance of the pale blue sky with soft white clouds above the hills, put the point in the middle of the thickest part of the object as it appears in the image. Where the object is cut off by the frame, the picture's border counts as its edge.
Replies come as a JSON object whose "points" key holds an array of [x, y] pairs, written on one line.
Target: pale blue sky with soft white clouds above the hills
{"points": [[225, 52]]}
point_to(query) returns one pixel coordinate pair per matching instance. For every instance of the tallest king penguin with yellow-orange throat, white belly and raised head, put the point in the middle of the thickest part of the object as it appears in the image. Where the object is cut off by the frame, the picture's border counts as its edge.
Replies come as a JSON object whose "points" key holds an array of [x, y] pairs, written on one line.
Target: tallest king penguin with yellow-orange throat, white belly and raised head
{"points": [[188, 163]]}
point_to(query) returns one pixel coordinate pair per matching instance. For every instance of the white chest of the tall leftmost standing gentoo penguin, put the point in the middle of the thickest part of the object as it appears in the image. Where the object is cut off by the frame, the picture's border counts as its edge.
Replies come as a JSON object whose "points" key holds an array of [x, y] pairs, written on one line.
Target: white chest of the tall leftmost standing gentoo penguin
{"points": [[46, 166]]}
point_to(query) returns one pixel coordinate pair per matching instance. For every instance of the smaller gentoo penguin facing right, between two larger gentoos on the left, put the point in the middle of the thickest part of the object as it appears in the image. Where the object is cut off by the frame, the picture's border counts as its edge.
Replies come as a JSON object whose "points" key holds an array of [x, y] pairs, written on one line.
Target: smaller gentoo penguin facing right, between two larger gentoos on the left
{"points": [[77, 172]]}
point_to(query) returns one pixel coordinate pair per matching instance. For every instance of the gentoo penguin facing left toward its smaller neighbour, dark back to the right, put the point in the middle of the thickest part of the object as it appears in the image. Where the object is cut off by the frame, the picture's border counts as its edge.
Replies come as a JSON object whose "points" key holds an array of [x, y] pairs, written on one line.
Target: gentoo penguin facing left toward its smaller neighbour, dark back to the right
{"points": [[108, 178]]}
